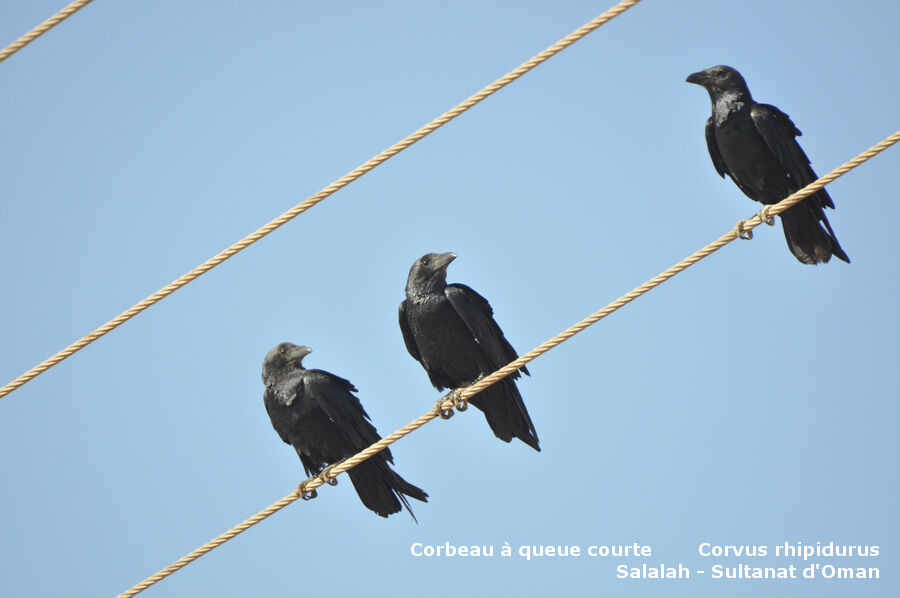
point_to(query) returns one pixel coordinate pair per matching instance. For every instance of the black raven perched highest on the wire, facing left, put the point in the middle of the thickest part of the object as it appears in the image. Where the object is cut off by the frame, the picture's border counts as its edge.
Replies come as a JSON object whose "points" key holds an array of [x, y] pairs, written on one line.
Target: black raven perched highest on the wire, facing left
{"points": [[755, 145]]}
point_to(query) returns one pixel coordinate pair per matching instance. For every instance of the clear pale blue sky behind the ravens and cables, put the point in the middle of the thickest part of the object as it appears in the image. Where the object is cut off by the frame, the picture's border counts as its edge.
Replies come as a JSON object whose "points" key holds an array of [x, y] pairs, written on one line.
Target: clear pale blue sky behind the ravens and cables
{"points": [[751, 400]]}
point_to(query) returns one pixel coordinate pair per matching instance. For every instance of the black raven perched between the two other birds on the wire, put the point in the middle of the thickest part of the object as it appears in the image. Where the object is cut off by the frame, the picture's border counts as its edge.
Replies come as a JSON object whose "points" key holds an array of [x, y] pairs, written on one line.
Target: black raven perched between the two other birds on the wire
{"points": [[450, 330]]}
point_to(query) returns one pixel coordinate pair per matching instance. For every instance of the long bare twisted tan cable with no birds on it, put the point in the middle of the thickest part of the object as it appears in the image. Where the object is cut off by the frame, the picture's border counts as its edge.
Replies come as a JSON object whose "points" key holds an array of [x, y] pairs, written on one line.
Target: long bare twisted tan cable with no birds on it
{"points": [[321, 195]]}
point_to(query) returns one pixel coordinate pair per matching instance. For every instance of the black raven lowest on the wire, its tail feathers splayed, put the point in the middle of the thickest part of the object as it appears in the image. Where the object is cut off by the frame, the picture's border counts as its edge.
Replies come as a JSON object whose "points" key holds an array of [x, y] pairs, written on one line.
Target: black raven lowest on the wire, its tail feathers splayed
{"points": [[317, 413]]}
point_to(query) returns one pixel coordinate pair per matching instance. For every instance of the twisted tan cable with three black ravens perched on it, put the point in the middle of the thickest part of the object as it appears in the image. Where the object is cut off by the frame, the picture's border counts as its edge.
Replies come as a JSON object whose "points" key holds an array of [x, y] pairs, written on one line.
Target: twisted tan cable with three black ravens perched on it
{"points": [[459, 397]]}
